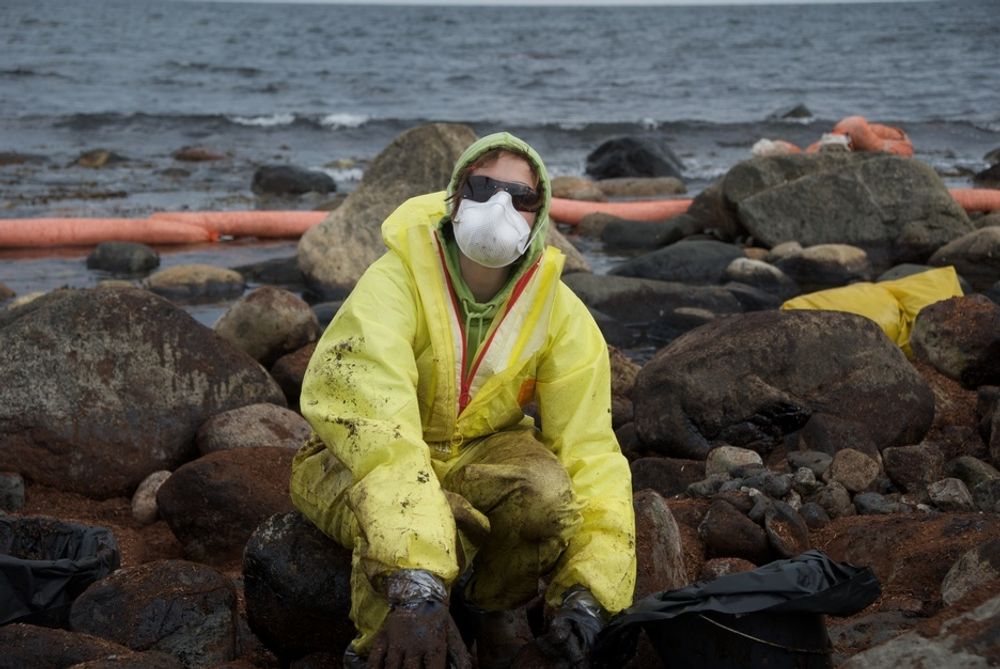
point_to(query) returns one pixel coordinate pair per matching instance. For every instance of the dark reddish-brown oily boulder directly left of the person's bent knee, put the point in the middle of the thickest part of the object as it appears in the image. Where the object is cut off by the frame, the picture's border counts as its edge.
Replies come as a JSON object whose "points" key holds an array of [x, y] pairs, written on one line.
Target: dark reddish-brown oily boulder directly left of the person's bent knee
{"points": [[214, 503]]}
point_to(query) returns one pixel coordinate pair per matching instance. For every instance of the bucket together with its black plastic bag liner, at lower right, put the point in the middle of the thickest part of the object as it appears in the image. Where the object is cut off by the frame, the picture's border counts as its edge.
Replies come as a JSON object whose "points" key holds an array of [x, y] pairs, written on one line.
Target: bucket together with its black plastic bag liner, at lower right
{"points": [[785, 598]]}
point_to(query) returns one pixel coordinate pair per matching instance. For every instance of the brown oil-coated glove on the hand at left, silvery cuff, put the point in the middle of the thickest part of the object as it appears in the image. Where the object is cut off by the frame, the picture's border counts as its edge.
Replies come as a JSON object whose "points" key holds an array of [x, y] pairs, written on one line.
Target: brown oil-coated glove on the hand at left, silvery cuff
{"points": [[418, 631]]}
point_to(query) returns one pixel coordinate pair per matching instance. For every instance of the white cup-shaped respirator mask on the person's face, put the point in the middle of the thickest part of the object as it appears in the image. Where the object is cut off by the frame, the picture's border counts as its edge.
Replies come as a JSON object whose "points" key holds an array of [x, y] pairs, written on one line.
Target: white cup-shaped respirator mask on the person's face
{"points": [[492, 233]]}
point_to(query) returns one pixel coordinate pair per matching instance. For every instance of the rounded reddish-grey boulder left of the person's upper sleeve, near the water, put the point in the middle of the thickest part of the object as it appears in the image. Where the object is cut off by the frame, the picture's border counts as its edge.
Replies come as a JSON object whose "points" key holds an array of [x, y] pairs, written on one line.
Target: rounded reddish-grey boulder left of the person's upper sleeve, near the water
{"points": [[267, 323]]}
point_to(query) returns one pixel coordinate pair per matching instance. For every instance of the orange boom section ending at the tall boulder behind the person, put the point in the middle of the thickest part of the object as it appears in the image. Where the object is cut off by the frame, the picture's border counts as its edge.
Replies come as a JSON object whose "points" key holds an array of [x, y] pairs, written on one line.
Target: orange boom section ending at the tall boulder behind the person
{"points": [[260, 224]]}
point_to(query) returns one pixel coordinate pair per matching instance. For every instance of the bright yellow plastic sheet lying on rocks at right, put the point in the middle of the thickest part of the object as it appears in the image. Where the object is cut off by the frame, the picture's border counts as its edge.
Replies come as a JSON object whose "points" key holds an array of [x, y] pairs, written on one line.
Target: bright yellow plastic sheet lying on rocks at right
{"points": [[893, 305]]}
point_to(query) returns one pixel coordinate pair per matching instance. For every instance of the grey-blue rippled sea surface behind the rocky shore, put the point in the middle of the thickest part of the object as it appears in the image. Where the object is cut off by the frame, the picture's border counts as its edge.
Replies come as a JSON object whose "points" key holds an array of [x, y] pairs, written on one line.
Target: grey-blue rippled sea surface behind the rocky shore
{"points": [[328, 87]]}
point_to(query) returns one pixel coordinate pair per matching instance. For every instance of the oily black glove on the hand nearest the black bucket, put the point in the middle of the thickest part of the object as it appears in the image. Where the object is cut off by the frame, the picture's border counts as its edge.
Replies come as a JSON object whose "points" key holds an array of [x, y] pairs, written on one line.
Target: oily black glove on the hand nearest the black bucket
{"points": [[573, 630]]}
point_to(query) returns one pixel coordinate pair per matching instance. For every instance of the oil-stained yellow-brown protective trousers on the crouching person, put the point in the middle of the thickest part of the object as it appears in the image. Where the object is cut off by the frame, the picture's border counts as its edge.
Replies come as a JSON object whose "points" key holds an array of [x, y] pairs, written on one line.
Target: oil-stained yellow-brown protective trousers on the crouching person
{"points": [[514, 509]]}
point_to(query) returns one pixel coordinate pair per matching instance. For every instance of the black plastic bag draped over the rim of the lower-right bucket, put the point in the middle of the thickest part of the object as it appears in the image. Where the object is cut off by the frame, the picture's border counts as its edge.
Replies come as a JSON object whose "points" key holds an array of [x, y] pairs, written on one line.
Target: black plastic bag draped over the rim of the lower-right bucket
{"points": [[810, 583]]}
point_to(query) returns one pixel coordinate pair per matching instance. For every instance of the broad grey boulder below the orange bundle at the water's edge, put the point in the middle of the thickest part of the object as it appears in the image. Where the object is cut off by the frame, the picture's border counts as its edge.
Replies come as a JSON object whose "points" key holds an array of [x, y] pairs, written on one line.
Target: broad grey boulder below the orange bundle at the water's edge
{"points": [[897, 209]]}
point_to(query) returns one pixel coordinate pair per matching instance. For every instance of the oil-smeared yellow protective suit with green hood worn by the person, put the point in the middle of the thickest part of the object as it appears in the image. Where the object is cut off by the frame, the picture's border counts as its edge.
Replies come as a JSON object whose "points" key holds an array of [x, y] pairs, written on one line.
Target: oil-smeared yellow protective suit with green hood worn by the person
{"points": [[394, 415]]}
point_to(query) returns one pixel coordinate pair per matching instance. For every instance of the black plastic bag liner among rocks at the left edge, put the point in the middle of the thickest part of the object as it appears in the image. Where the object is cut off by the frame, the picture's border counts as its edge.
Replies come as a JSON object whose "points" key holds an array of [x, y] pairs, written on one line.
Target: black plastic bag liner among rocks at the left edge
{"points": [[46, 563]]}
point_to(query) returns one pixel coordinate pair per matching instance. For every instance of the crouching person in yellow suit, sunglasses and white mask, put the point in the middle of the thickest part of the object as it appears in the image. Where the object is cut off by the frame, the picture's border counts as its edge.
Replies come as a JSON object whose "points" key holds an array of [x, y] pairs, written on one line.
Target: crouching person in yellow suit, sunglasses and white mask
{"points": [[422, 459]]}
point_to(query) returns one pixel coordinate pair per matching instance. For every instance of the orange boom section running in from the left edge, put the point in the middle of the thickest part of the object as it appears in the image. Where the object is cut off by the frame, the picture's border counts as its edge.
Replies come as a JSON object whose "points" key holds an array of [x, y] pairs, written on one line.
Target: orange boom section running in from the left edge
{"points": [[43, 232]]}
